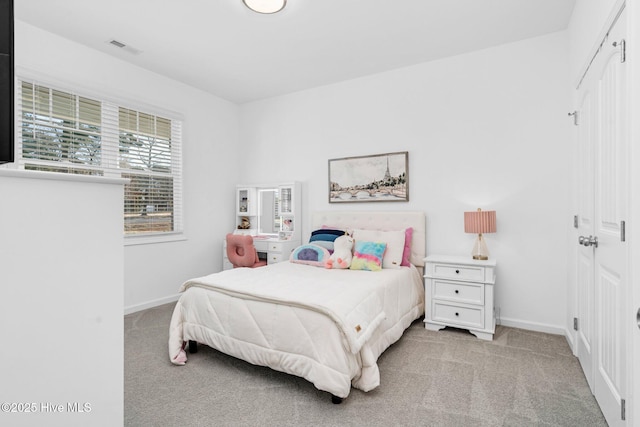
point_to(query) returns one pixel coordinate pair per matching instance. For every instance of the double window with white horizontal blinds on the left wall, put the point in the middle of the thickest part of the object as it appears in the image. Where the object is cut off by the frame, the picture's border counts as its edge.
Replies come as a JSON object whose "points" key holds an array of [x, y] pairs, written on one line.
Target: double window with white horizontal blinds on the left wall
{"points": [[68, 133]]}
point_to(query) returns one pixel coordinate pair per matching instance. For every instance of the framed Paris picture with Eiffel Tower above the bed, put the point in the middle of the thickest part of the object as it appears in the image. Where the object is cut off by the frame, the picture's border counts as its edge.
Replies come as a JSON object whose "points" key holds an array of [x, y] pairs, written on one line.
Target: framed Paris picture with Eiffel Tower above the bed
{"points": [[376, 178]]}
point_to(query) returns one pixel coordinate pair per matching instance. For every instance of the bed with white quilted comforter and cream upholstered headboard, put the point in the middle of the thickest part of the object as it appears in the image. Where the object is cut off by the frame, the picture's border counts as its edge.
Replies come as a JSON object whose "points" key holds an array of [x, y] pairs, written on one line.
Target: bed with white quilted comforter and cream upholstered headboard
{"points": [[328, 326]]}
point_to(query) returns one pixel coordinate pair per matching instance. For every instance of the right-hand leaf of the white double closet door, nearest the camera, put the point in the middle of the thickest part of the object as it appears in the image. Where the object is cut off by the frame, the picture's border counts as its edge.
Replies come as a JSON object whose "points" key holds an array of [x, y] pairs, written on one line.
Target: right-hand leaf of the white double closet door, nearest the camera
{"points": [[611, 254]]}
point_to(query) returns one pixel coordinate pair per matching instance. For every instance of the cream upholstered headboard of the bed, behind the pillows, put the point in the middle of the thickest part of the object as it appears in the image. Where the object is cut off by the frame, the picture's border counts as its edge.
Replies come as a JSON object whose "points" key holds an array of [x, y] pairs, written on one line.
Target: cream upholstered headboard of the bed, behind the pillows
{"points": [[380, 220]]}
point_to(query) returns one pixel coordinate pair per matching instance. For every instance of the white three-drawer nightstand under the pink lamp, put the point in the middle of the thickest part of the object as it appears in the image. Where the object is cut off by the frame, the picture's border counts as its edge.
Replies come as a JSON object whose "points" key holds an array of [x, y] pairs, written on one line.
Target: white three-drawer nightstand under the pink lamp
{"points": [[459, 293]]}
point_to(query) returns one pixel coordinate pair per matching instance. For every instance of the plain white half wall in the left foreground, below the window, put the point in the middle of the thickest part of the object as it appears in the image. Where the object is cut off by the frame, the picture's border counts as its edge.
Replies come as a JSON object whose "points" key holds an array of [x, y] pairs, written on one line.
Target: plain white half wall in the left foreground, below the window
{"points": [[61, 319]]}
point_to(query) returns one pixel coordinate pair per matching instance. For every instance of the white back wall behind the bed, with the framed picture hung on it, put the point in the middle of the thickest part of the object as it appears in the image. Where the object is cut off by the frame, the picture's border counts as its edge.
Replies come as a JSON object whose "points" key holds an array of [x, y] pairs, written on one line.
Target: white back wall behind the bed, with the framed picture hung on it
{"points": [[487, 129]]}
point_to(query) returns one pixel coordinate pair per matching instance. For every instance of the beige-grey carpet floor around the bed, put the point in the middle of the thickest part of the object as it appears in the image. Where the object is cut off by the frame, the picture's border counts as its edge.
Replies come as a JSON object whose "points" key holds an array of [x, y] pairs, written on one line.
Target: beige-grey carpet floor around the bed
{"points": [[445, 378]]}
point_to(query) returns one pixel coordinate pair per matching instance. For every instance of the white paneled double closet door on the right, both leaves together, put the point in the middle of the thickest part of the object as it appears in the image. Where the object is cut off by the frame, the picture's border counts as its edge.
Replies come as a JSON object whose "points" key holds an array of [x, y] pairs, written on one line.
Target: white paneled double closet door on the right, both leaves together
{"points": [[603, 204]]}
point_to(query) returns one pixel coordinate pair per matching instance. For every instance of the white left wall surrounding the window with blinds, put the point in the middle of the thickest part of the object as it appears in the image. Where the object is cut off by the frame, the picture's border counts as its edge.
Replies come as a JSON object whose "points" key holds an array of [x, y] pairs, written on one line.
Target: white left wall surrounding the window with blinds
{"points": [[154, 272]]}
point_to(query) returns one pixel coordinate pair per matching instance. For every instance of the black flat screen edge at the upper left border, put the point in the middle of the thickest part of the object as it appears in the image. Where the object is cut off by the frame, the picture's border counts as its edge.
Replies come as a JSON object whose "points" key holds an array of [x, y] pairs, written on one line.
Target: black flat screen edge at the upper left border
{"points": [[6, 82]]}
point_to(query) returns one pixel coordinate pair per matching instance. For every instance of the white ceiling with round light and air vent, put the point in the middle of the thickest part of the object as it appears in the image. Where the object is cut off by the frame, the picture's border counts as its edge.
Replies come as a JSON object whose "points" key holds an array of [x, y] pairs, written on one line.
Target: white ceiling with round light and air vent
{"points": [[222, 47]]}
